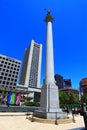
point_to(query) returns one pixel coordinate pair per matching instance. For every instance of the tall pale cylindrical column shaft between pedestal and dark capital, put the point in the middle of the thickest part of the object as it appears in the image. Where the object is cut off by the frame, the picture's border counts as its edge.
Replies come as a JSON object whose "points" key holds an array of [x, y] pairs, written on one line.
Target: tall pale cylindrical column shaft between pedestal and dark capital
{"points": [[49, 73]]}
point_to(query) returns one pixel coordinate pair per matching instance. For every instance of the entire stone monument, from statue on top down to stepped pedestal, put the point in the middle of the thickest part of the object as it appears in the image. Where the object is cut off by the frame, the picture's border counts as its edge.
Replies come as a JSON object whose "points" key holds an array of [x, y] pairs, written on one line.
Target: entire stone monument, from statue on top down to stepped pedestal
{"points": [[49, 104]]}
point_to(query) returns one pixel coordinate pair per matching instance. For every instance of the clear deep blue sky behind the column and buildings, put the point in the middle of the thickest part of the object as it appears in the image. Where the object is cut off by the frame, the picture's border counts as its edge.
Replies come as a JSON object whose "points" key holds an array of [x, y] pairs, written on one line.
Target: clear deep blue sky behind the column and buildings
{"points": [[23, 20]]}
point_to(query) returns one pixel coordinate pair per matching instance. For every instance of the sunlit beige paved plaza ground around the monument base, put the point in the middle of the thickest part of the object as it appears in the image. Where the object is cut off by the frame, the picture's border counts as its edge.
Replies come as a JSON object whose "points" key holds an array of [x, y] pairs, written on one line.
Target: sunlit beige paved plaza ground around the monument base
{"points": [[18, 121]]}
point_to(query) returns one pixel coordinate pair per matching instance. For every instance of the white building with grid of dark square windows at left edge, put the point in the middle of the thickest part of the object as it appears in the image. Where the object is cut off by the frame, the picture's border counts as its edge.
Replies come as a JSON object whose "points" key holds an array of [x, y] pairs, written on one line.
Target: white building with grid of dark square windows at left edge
{"points": [[9, 70]]}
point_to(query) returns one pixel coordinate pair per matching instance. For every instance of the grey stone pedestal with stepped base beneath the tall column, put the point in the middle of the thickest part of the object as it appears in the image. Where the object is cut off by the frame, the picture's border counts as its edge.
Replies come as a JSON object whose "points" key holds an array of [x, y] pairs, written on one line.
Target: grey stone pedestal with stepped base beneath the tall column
{"points": [[49, 105]]}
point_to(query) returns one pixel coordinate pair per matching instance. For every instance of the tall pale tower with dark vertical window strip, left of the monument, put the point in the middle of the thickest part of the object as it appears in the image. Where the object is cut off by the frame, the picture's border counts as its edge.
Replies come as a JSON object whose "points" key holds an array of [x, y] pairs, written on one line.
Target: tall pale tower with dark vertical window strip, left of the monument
{"points": [[31, 66]]}
